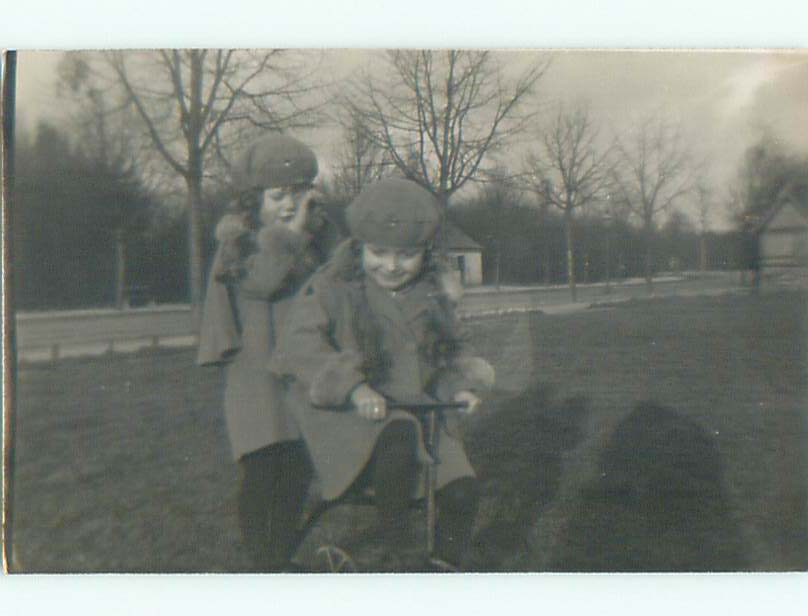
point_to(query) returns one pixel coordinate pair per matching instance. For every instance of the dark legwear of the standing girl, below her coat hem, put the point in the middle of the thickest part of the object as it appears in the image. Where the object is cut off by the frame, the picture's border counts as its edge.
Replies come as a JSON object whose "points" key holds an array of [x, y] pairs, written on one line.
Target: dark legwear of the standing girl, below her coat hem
{"points": [[271, 496]]}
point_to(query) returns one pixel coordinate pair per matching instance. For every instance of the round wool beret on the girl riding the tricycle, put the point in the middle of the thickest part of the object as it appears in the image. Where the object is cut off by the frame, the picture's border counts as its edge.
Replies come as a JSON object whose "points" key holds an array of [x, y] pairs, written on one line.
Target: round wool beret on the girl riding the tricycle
{"points": [[394, 212]]}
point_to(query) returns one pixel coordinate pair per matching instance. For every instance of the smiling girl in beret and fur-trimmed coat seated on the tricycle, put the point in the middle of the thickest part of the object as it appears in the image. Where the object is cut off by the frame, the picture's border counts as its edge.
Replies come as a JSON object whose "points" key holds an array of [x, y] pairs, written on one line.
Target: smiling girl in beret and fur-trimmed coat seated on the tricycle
{"points": [[375, 325]]}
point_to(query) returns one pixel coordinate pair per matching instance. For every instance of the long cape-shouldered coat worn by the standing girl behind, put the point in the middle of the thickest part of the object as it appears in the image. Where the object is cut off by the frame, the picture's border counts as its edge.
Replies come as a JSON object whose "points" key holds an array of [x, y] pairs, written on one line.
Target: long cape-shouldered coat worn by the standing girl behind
{"points": [[240, 326]]}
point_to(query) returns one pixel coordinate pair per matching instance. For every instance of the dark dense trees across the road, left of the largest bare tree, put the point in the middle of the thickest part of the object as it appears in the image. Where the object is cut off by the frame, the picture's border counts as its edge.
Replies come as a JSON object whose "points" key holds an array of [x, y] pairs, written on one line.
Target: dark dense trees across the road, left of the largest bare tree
{"points": [[85, 230]]}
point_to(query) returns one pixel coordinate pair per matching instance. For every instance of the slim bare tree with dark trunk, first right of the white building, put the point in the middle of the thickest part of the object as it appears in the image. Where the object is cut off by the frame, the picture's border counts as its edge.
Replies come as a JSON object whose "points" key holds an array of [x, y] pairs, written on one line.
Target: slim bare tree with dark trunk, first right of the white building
{"points": [[569, 171]]}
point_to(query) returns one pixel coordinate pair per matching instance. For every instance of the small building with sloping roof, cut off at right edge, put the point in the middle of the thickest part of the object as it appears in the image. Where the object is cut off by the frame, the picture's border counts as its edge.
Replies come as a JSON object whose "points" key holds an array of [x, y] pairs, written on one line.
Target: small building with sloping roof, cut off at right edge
{"points": [[783, 233]]}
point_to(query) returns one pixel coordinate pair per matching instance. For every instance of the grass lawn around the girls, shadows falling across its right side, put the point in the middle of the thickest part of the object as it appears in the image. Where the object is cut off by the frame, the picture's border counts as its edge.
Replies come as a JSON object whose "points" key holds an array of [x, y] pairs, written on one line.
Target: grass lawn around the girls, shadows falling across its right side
{"points": [[655, 435]]}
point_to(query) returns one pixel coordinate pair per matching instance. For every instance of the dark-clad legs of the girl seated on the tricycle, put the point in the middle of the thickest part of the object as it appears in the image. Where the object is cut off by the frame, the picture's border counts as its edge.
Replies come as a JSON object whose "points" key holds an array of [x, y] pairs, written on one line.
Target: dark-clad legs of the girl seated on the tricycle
{"points": [[393, 471]]}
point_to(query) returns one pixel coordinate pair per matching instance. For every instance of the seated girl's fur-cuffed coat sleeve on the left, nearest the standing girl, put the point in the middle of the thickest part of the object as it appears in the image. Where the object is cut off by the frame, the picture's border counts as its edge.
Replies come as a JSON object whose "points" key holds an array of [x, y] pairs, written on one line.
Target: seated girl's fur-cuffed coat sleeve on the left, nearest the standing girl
{"points": [[308, 352]]}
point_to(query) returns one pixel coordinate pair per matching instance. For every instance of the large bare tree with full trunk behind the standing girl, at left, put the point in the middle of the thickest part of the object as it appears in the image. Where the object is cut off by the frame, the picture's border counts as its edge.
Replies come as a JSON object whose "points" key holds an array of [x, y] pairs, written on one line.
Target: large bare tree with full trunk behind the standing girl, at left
{"points": [[194, 105]]}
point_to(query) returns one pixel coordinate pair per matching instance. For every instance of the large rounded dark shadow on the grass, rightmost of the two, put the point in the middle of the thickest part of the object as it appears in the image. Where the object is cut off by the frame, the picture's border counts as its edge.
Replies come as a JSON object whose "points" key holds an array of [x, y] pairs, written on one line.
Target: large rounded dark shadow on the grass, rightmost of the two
{"points": [[658, 503]]}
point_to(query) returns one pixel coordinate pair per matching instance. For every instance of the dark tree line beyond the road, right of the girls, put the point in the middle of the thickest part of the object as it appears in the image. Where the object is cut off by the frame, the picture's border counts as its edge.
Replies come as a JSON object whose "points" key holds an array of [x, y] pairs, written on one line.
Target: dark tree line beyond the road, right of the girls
{"points": [[523, 246]]}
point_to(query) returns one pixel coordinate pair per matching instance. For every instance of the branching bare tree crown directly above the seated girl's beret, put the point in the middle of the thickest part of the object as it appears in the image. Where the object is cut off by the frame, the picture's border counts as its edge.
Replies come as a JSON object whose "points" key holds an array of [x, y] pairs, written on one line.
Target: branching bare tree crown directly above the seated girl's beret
{"points": [[439, 114]]}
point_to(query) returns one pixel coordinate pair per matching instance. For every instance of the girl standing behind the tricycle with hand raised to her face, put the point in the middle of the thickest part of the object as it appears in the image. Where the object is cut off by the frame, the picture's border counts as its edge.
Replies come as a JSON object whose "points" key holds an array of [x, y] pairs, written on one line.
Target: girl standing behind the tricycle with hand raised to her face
{"points": [[267, 247]]}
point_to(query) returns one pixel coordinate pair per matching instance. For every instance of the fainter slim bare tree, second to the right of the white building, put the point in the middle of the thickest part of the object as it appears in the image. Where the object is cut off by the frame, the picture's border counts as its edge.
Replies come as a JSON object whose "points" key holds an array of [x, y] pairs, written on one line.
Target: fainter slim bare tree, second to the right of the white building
{"points": [[650, 174]]}
